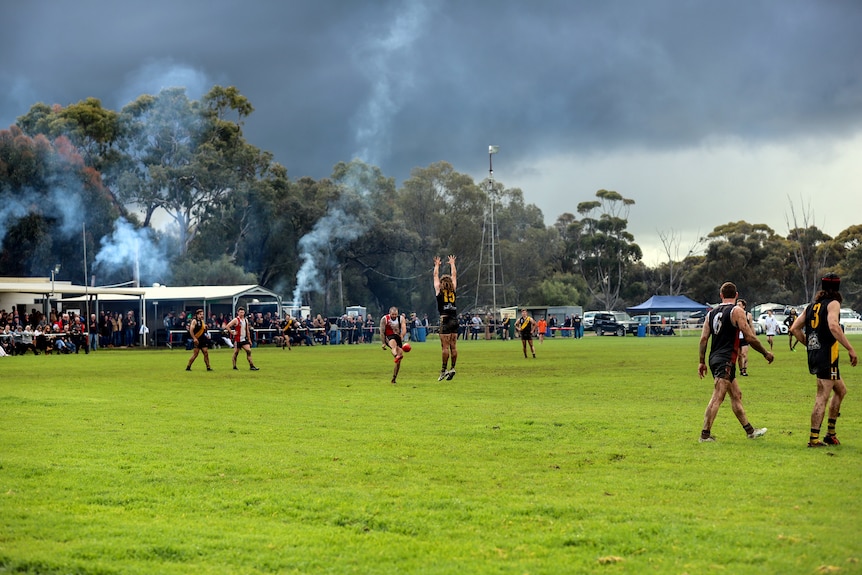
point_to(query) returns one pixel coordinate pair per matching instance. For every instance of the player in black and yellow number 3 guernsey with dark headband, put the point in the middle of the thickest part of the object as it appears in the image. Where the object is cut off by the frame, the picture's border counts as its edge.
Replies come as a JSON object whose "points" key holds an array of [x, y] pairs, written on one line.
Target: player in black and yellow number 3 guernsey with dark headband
{"points": [[820, 332]]}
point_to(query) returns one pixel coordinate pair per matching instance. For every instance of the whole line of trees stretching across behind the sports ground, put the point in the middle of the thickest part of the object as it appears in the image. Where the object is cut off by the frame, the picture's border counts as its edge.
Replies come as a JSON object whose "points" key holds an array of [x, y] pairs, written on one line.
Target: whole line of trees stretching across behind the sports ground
{"points": [[204, 206]]}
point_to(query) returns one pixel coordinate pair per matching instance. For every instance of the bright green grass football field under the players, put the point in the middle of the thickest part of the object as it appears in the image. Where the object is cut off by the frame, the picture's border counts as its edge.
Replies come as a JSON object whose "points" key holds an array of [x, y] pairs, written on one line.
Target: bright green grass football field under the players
{"points": [[584, 460]]}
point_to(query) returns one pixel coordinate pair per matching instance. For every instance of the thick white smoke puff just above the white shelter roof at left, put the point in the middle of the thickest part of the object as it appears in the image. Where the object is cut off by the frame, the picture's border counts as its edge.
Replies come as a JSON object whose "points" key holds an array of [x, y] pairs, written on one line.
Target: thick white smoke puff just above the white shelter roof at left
{"points": [[130, 247]]}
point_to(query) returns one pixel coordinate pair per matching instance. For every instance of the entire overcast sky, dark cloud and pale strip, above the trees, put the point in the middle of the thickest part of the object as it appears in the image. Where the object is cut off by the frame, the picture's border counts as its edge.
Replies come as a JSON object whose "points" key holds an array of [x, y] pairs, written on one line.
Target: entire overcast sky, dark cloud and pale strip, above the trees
{"points": [[703, 112]]}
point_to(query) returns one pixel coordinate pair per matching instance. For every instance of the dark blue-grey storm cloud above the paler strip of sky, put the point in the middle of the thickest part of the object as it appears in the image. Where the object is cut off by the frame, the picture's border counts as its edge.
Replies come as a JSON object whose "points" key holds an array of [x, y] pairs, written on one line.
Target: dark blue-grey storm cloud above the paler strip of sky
{"points": [[446, 78]]}
